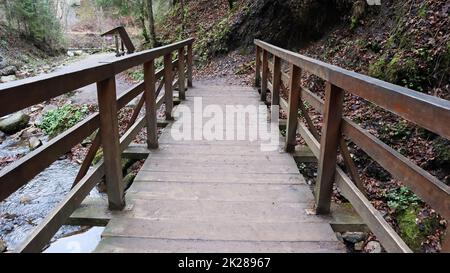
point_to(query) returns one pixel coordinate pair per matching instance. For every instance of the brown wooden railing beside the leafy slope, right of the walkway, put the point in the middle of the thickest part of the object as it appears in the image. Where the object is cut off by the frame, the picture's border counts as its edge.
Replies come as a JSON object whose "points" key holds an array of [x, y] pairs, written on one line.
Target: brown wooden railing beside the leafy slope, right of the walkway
{"points": [[426, 111]]}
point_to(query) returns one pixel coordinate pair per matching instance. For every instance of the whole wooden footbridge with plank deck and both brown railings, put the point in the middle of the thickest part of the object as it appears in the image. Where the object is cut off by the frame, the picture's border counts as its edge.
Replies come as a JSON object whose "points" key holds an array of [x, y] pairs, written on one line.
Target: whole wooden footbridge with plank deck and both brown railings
{"points": [[206, 195]]}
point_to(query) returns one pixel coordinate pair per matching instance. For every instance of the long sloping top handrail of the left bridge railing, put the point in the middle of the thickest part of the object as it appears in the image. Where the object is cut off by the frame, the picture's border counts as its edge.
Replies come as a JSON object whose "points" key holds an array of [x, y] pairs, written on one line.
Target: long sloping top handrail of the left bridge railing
{"points": [[37, 89]]}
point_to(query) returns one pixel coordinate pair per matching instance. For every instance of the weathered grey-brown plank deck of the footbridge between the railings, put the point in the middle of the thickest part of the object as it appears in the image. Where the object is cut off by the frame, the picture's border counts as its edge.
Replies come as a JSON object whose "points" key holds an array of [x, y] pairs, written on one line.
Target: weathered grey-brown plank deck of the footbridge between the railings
{"points": [[218, 196]]}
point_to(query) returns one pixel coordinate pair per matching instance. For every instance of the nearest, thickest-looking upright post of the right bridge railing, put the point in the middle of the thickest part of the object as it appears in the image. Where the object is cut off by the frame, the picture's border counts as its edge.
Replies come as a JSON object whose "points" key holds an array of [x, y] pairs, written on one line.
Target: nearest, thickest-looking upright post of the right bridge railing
{"points": [[334, 99]]}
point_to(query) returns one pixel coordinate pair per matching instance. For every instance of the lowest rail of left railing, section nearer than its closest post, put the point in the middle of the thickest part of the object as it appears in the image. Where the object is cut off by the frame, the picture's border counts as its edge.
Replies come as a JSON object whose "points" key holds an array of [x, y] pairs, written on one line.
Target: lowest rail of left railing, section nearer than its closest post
{"points": [[45, 231]]}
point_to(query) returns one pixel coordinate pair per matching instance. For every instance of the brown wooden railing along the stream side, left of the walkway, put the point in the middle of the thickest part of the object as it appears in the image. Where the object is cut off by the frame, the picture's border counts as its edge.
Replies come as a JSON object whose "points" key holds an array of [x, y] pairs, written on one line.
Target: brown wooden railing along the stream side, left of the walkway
{"points": [[18, 95]]}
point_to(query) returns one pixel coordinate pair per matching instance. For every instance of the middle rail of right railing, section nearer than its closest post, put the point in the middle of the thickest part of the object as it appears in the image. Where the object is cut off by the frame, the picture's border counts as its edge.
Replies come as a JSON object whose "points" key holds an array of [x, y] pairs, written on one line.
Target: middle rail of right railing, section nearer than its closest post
{"points": [[426, 186]]}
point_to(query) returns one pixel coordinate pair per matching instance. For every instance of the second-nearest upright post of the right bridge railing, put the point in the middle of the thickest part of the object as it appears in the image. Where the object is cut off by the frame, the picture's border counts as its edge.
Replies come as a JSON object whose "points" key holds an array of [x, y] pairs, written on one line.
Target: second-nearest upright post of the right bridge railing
{"points": [[294, 97]]}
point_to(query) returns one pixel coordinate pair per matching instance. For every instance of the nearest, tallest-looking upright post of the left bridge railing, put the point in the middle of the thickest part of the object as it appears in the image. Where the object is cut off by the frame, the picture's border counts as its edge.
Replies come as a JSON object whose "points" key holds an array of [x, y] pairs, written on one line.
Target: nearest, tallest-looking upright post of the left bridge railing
{"points": [[109, 130]]}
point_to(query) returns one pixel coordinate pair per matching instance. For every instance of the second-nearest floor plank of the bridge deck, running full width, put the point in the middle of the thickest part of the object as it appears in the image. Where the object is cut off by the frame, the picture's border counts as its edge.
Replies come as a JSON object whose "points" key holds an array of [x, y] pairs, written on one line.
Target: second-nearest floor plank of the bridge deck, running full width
{"points": [[225, 231]]}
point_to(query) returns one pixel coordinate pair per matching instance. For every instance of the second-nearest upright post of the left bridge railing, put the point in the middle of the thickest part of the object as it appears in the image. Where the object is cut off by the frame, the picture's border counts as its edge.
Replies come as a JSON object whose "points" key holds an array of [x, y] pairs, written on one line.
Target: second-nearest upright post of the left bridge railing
{"points": [[150, 104]]}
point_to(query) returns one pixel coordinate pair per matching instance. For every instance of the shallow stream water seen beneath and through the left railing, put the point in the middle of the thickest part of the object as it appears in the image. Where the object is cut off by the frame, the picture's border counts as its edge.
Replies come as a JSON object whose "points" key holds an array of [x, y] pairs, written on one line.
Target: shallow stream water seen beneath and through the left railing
{"points": [[21, 212]]}
